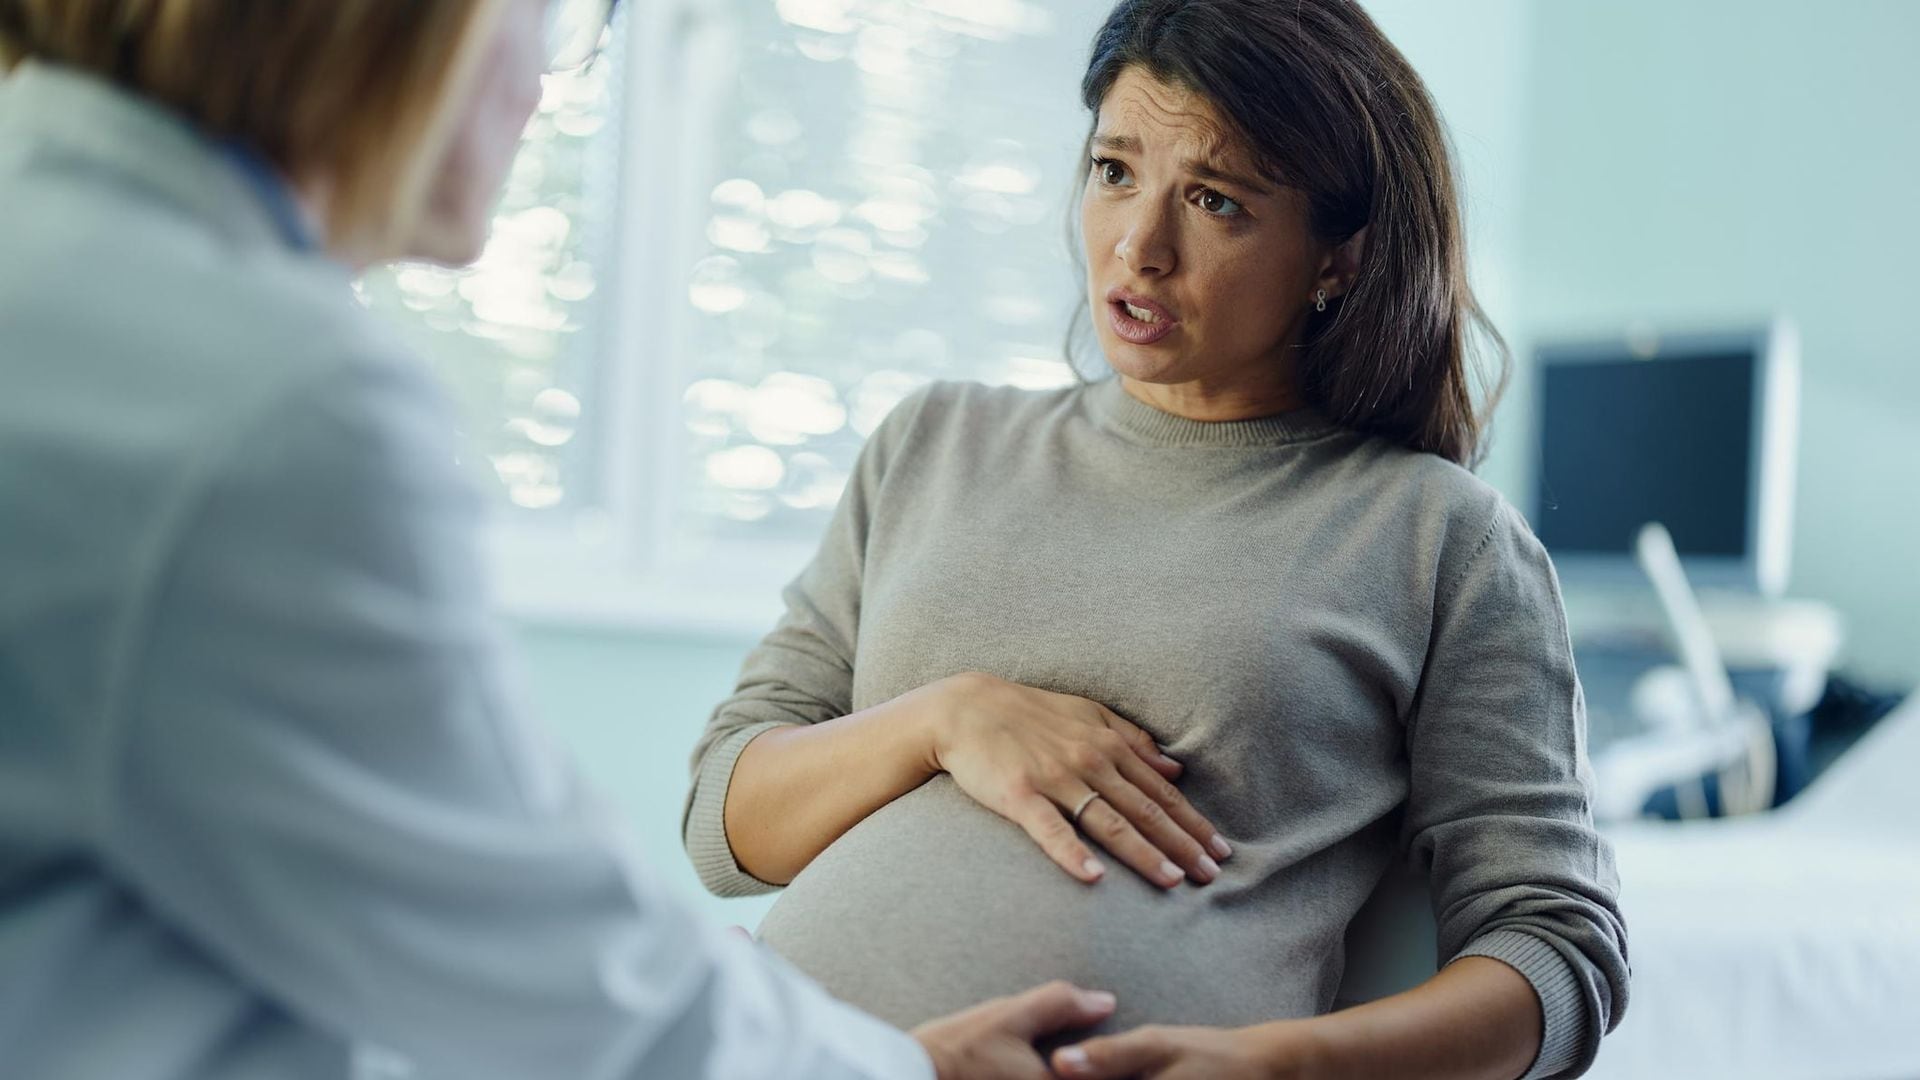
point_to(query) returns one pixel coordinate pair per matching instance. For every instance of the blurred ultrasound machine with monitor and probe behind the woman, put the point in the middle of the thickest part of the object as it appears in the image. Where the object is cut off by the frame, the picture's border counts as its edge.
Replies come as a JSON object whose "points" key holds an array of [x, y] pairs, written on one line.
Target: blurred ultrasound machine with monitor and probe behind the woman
{"points": [[1664, 489]]}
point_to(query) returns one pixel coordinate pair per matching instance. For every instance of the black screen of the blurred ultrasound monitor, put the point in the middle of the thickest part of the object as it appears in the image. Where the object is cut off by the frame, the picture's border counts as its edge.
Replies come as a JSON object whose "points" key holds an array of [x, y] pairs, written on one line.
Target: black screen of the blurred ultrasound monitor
{"points": [[1633, 441]]}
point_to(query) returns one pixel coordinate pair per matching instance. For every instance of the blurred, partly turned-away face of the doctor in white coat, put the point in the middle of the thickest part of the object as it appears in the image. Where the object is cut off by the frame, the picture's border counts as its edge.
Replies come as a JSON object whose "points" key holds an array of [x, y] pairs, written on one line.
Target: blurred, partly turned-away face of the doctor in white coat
{"points": [[487, 139]]}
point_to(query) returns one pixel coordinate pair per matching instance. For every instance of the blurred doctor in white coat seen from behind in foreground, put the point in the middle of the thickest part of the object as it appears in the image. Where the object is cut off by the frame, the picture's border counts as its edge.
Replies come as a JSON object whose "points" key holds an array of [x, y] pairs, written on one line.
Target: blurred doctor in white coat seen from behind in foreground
{"points": [[268, 808]]}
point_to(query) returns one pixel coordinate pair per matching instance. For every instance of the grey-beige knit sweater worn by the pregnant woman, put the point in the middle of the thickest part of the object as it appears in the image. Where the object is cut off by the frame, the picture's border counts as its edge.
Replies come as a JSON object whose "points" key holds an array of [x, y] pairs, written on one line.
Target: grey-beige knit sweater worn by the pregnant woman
{"points": [[1358, 652]]}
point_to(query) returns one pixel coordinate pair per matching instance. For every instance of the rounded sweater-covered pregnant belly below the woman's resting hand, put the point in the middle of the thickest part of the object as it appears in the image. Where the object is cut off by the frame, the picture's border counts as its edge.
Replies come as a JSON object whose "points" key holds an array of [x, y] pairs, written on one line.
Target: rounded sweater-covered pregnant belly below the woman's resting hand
{"points": [[936, 904]]}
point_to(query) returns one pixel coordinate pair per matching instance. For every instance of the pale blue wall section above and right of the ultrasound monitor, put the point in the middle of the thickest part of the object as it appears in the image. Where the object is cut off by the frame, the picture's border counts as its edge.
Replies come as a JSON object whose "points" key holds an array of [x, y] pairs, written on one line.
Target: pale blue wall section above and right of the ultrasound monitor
{"points": [[1731, 159]]}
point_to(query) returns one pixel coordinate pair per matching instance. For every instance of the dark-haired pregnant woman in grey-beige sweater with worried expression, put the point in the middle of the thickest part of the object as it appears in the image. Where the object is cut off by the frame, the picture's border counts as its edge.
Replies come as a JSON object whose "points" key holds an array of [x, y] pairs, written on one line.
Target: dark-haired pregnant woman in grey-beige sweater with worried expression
{"points": [[1147, 683]]}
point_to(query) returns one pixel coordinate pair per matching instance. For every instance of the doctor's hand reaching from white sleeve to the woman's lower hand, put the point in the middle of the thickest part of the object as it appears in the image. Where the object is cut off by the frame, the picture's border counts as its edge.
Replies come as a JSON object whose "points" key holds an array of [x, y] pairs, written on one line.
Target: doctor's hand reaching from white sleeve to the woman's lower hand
{"points": [[996, 1041]]}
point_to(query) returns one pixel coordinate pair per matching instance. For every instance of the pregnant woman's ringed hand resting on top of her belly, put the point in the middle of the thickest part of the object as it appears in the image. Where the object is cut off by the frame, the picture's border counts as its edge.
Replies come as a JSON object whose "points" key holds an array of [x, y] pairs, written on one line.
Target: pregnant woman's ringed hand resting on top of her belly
{"points": [[1034, 758]]}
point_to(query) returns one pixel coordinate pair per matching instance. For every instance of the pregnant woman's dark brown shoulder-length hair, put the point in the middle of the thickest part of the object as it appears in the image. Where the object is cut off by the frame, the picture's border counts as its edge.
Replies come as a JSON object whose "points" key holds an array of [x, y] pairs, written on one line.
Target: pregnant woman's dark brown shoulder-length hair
{"points": [[1332, 109]]}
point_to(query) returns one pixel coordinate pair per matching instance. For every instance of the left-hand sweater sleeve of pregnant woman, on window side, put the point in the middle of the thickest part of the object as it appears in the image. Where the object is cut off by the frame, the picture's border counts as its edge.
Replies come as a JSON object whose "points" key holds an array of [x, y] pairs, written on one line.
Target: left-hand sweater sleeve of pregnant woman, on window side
{"points": [[802, 674]]}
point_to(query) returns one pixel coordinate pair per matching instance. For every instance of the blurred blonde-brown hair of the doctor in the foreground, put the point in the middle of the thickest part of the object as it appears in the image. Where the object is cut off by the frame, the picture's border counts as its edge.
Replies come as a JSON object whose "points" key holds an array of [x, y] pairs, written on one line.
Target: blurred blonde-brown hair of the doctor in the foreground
{"points": [[358, 95]]}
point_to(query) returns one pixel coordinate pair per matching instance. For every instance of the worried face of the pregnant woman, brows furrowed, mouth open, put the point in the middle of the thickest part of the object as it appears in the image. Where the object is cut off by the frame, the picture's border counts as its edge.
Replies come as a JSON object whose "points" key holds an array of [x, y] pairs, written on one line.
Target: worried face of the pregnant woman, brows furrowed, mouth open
{"points": [[1201, 272]]}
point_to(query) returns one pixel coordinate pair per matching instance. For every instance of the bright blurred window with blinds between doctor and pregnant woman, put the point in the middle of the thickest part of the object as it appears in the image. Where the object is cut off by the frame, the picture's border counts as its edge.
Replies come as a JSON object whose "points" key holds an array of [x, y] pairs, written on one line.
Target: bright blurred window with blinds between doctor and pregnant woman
{"points": [[727, 255]]}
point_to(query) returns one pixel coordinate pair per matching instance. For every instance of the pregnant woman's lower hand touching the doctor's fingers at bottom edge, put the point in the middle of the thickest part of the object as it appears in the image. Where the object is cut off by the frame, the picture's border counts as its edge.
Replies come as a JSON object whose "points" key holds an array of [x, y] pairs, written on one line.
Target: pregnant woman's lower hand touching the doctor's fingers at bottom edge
{"points": [[1266, 1052]]}
